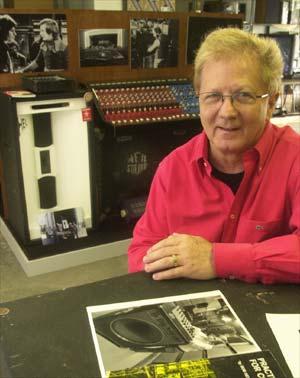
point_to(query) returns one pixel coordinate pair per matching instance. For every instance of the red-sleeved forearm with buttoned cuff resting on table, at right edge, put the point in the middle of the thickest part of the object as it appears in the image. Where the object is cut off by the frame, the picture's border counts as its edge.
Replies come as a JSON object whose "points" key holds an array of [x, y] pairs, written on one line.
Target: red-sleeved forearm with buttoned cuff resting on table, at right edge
{"points": [[271, 261]]}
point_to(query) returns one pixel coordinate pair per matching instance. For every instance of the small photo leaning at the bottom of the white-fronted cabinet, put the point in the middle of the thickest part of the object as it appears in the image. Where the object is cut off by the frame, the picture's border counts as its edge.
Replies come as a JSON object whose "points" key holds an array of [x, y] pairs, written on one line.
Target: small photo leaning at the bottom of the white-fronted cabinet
{"points": [[62, 225]]}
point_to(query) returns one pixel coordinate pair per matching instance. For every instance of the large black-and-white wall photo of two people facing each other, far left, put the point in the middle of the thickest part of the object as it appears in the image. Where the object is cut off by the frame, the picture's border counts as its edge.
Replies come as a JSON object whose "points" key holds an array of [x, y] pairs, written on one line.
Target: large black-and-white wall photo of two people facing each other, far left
{"points": [[33, 43]]}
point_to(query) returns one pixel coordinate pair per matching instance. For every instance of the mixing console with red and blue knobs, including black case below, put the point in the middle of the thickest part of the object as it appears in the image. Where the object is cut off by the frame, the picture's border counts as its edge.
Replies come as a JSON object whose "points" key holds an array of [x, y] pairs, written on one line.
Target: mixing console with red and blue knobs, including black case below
{"points": [[130, 118]]}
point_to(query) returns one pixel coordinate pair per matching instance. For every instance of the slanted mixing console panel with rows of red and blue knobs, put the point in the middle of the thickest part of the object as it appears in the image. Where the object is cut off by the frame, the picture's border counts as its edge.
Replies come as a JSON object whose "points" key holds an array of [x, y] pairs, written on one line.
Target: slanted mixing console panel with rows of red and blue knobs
{"points": [[148, 101]]}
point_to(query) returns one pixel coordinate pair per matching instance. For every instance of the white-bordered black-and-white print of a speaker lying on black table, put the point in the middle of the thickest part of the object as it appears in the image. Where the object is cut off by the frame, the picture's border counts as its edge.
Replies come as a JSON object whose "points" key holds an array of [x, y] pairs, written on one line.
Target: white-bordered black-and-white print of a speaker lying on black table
{"points": [[164, 330]]}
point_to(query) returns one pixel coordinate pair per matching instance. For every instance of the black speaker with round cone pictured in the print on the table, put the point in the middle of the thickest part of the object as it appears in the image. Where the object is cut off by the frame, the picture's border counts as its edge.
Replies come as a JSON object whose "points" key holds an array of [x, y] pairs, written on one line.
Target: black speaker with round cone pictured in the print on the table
{"points": [[152, 327]]}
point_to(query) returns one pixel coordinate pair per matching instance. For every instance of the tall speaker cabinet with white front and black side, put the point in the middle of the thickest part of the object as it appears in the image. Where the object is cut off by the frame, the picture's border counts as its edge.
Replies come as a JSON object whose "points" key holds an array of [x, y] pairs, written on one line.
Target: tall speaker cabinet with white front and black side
{"points": [[46, 149]]}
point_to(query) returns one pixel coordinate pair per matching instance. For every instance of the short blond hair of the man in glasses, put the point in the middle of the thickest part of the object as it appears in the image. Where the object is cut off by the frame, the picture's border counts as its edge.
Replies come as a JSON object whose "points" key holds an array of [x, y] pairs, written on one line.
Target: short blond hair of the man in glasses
{"points": [[234, 43]]}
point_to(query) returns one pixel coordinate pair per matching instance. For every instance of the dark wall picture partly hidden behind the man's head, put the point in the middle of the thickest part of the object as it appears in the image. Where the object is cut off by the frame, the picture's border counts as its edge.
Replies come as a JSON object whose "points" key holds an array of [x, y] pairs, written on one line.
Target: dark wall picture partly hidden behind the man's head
{"points": [[199, 27]]}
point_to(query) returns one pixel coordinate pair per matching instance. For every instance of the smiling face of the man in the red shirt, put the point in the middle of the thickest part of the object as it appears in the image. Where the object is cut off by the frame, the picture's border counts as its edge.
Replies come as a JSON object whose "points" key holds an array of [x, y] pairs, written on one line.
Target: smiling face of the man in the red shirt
{"points": [[233, 128]]}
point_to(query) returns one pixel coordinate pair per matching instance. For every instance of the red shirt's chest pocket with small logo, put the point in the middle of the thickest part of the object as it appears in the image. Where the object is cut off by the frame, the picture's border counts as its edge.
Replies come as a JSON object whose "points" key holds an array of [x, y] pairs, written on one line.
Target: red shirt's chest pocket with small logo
{"points": [[251, 231]]}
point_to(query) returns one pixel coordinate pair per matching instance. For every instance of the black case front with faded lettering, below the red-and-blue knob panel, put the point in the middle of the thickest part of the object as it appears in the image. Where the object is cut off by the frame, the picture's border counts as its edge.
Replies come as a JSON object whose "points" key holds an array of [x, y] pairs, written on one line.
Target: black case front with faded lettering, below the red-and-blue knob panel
{"points": [[131, 158]]}
